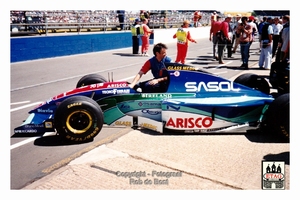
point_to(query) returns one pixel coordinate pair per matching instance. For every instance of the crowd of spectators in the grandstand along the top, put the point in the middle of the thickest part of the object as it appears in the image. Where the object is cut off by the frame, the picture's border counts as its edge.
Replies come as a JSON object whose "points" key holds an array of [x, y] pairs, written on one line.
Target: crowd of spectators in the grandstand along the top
{"points": [[102, 16]]}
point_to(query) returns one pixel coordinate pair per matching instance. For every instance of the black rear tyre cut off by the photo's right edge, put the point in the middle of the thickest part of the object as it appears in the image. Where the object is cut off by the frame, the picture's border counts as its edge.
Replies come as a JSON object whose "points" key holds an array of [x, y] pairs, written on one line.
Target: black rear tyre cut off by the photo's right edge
{"points": [[277, 117]]}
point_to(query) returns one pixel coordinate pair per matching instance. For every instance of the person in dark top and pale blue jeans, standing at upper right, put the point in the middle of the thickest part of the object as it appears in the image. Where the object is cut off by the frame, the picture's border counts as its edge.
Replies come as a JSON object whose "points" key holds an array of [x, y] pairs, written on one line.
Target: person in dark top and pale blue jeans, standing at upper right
{"points": [[266, 44]]}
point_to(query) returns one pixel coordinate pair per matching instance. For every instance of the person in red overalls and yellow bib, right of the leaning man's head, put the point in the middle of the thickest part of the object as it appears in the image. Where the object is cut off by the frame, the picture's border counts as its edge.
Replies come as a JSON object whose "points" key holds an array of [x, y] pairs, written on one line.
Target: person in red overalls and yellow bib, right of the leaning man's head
{"points": [[183, 37]]}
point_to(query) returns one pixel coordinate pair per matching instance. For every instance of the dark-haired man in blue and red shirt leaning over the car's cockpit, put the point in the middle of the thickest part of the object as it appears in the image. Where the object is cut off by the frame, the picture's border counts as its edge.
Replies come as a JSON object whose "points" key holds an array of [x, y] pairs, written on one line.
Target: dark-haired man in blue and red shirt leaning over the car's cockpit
{"points": [[156, 64]]}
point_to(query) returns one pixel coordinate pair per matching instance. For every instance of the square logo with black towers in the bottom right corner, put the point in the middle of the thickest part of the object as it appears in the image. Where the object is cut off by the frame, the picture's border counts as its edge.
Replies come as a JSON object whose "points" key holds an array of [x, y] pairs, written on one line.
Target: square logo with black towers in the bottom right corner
{"points": [[273, 175]]}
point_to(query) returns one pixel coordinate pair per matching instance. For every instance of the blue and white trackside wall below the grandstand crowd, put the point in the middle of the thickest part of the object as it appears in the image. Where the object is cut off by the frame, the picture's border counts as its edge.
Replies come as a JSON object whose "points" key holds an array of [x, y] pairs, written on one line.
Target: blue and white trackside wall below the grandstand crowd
{"points": [[38, 47]]}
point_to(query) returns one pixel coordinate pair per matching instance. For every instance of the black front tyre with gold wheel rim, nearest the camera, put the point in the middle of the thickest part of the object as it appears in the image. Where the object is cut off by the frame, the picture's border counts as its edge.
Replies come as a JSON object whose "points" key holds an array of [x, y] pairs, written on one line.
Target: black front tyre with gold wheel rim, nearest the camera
{"points": [[78, 119]]}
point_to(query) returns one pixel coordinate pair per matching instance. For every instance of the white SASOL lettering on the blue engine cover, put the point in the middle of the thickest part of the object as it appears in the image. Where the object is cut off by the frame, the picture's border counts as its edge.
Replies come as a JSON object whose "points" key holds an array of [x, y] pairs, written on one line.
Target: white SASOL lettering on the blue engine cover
{"points": [[214, 86]]}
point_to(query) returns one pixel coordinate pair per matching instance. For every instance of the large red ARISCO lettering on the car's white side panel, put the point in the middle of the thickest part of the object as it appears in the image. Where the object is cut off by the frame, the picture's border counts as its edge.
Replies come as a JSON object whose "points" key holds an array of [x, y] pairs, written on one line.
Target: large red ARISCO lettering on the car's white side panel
{"points": [[191, 122]]}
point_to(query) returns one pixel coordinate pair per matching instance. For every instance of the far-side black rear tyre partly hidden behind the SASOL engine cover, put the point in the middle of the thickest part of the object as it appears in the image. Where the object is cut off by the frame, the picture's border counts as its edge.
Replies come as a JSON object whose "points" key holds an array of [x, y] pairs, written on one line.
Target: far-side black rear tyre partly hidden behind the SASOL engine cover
{"points": [[254, 81]]}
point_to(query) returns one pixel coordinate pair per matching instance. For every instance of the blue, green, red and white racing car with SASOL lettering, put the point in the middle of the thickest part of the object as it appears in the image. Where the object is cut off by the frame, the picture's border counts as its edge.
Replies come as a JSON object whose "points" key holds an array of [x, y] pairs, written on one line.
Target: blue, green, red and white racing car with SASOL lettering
{"points": [[194, 101]]}
